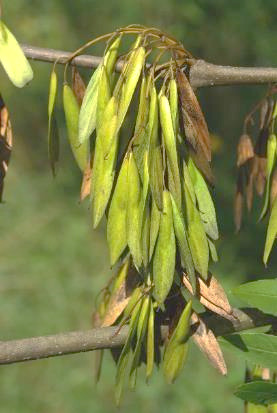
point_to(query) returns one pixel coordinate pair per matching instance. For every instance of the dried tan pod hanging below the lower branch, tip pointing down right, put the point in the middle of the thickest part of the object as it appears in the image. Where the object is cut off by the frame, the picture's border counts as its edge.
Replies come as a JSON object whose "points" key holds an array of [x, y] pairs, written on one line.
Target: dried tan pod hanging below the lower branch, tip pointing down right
{"points": [[205, 339]]}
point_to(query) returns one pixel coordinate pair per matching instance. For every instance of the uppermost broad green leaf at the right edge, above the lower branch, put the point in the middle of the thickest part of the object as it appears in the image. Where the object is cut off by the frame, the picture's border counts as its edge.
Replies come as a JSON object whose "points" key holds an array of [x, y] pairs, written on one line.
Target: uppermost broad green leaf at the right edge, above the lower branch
{"points": [[261, 294]]}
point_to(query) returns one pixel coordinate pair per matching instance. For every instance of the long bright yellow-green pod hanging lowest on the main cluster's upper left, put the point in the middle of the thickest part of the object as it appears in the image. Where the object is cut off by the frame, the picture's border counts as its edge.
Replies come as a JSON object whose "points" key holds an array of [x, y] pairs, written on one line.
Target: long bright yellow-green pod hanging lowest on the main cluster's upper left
{"points": [[104, 163]]}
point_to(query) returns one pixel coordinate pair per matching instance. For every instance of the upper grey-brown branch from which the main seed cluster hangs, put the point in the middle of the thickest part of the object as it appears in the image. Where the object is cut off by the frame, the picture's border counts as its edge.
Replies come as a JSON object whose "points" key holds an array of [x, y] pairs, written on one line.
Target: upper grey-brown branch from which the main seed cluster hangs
{"points": [[201, 73]]}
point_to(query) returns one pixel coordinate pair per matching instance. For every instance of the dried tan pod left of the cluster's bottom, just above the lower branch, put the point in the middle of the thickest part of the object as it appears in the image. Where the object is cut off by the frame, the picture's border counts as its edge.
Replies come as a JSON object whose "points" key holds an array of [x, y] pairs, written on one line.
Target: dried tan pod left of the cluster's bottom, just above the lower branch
{"points": [[120, 298]]}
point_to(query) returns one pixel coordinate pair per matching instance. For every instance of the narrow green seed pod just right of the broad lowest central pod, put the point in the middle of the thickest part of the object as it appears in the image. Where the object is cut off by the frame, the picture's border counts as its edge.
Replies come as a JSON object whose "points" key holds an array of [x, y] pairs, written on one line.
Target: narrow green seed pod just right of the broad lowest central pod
{"points": [[181, 235]]}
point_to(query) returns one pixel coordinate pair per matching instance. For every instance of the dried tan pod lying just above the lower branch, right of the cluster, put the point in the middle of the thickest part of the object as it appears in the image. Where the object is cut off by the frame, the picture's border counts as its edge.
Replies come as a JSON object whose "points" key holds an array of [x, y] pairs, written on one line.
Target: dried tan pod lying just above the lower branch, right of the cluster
{"points": [[211, 294]]}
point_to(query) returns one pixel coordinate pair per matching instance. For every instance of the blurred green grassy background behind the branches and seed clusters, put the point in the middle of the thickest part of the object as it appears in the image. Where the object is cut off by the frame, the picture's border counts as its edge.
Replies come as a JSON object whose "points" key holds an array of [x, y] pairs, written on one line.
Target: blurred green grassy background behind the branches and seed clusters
{"points": [[53, 264]]}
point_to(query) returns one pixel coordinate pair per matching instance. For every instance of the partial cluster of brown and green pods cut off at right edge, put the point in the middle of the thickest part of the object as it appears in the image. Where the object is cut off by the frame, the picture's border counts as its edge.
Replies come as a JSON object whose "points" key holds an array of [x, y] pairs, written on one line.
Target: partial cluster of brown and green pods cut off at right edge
{"points": [[257, 167]]}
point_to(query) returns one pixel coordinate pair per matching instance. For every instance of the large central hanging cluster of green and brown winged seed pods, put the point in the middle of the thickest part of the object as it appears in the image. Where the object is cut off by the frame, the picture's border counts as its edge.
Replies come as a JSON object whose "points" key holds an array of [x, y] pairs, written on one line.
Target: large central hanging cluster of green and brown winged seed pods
{"points": [[150, 178]]}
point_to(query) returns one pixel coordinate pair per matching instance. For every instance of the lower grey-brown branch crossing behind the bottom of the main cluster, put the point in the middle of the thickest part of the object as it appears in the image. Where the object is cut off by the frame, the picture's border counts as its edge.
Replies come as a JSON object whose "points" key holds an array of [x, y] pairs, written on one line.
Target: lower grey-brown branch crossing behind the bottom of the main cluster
{"points": [[15, 351]]}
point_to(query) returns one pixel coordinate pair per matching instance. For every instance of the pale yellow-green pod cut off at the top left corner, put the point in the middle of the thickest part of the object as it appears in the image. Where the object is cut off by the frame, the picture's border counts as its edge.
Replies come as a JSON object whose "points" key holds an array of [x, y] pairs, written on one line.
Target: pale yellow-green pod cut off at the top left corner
{"points": [[13, 59]]}
